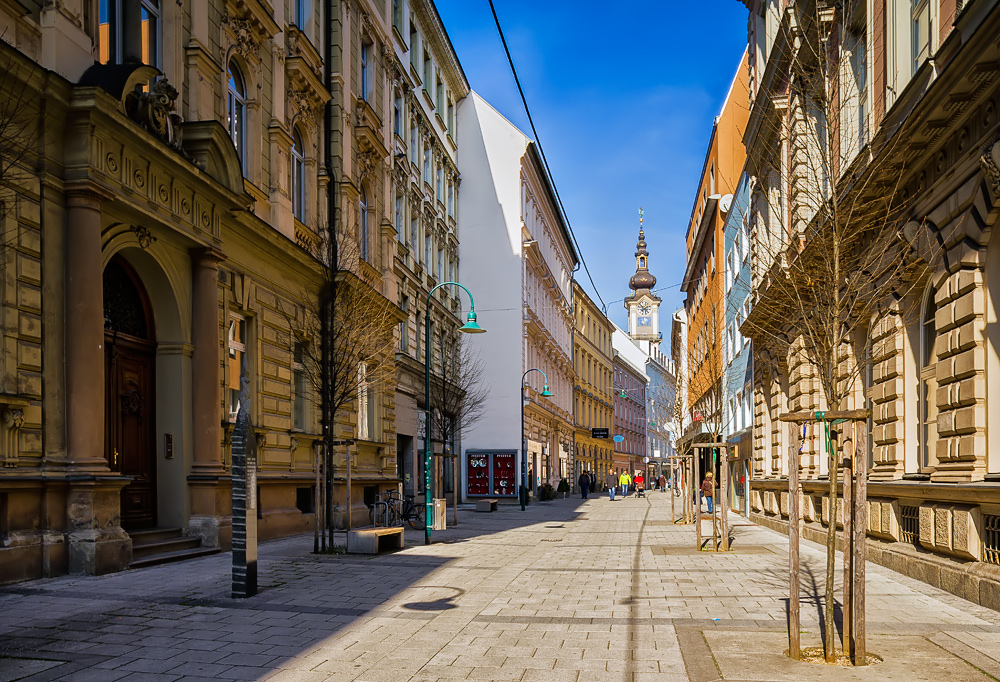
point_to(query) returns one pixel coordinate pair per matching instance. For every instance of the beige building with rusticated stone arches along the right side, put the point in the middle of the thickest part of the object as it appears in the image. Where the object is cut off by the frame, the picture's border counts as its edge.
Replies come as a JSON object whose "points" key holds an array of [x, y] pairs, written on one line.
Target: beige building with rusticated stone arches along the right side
{"points": [[930, 369]]}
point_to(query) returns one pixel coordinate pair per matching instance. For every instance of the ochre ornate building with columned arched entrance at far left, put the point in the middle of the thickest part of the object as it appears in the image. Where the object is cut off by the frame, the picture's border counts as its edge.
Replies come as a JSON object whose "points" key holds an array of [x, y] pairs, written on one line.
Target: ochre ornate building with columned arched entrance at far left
{"points": [[165, 242]]}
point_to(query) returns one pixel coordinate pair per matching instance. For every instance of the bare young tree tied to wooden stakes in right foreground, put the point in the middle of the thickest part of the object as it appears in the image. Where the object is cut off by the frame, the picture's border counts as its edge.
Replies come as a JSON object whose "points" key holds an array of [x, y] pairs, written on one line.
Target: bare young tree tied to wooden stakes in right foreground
{"points": [[830, 256]]}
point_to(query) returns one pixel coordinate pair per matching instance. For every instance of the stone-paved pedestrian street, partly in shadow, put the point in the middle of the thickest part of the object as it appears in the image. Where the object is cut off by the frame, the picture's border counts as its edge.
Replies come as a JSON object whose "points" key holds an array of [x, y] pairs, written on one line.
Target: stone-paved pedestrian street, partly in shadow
{"points": [[569, 590]]}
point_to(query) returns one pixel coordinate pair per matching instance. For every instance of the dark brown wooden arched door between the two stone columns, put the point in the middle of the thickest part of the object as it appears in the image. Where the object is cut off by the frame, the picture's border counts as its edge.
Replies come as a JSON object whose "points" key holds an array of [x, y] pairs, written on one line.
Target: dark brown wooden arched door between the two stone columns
{"points": [[129, 377]]}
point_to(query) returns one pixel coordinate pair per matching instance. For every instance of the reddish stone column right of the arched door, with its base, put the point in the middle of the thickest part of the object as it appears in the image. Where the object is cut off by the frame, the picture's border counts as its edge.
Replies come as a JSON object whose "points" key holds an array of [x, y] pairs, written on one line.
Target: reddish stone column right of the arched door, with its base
{"points": [[208, 481]]}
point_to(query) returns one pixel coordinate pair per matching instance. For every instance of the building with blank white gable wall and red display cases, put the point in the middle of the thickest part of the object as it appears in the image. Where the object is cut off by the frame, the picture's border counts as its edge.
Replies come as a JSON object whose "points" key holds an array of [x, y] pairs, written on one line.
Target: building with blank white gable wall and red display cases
{"points": [[518, 261]]}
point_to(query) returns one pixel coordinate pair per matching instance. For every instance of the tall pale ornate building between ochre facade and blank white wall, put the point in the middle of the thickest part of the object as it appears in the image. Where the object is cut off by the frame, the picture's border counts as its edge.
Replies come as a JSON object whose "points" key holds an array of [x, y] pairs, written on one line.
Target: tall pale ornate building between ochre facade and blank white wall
{"points": [[427, 88]]}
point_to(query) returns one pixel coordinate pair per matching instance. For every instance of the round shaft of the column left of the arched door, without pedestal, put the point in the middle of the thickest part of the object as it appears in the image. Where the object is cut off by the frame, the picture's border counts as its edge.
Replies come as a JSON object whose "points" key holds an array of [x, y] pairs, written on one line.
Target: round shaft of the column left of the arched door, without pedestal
{"points": [[84, 341]]}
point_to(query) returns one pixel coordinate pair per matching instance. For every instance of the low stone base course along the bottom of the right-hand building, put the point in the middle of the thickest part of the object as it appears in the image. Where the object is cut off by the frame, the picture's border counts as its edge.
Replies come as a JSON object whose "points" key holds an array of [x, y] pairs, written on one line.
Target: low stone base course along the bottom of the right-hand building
{"points": [[972, 580]]}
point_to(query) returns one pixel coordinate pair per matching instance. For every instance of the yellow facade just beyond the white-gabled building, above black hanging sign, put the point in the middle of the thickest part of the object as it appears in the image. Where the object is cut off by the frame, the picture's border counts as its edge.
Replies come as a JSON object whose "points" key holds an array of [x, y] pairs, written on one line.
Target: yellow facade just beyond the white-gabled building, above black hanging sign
{"points": [[593, 398]]}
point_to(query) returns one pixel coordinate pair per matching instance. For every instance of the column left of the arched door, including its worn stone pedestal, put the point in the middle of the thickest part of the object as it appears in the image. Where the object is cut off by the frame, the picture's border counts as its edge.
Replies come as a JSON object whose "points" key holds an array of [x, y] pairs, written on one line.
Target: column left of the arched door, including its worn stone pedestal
{"points": [[97, 543]]}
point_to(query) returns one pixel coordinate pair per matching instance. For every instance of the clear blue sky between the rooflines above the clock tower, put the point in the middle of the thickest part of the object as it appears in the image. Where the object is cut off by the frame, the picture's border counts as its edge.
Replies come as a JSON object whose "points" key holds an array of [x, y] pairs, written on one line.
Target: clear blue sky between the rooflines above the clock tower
{"points": [[623, 96]]}
